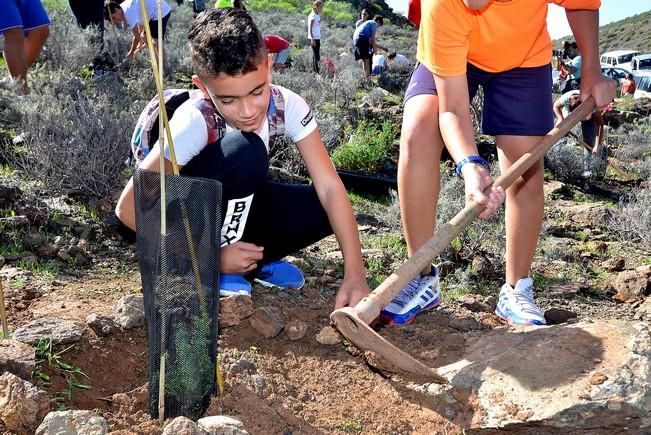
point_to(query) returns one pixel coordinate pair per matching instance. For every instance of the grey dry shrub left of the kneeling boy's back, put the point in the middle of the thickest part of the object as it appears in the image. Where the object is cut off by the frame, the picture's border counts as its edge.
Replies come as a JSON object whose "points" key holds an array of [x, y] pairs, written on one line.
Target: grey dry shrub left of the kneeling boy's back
{"points": [[76, 134]]}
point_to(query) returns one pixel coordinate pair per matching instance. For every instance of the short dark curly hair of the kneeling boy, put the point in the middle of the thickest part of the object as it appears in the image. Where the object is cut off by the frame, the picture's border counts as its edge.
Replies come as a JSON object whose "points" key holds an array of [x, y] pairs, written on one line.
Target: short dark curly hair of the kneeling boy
{"points": [[225, 41]]}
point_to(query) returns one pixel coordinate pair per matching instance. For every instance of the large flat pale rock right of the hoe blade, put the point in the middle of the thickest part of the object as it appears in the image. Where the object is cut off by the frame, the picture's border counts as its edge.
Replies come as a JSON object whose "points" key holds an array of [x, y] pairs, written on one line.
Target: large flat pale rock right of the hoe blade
{"points": [[587, 376]]}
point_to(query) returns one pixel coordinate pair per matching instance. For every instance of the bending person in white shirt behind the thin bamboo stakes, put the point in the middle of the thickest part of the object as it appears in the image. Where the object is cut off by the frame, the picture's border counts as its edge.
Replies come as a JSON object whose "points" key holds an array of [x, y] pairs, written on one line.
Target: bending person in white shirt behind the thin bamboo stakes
{"points": [[129, 12]]}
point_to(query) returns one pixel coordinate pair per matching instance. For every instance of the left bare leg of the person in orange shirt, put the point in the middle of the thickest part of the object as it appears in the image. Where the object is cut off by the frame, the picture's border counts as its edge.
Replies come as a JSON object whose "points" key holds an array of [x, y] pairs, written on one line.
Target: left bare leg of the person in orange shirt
{"points": [[418, 170]]}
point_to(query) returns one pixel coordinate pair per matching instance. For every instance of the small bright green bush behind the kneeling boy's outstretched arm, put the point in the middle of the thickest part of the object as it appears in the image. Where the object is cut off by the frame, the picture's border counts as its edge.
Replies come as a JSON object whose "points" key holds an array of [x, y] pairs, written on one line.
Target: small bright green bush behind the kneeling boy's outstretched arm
{"points": [[368, 148]]}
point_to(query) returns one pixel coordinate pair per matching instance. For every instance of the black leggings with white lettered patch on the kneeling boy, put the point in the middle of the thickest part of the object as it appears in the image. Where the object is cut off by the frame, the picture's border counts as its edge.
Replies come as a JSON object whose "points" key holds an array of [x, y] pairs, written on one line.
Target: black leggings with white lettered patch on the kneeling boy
{"points": [[282, 218]]}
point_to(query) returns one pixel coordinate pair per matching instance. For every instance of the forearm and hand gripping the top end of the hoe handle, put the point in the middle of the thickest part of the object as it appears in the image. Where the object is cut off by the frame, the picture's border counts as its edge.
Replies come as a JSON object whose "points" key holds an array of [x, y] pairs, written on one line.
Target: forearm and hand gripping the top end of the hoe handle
{"points": [[585, 27]]}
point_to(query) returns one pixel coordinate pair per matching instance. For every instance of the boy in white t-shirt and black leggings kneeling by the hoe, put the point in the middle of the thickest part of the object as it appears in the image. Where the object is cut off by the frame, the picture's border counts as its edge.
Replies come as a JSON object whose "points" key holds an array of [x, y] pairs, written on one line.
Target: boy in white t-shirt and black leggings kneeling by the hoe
{"points": [[263, 221]]}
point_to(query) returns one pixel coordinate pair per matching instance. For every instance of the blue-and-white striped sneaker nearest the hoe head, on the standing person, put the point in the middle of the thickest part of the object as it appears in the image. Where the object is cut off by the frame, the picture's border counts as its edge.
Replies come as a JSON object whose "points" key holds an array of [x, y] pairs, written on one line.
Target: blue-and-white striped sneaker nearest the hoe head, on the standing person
{"points": [[423, 293]]}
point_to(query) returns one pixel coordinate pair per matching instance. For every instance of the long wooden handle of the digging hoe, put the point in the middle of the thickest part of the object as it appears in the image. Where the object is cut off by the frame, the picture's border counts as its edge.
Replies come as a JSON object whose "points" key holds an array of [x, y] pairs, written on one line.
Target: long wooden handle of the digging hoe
{"points": [[368, 309]]}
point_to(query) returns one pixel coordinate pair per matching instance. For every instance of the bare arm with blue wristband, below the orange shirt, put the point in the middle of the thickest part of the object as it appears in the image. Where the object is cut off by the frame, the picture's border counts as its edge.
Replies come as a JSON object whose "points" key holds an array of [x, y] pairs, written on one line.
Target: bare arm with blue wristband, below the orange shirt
{"points": [[457, 132]]}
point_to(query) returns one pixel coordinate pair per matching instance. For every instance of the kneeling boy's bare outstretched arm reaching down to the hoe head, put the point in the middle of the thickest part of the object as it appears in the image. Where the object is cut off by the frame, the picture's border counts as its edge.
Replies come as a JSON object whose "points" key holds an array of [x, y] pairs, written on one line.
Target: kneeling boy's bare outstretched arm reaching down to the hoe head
{"points": [[333, 197]]}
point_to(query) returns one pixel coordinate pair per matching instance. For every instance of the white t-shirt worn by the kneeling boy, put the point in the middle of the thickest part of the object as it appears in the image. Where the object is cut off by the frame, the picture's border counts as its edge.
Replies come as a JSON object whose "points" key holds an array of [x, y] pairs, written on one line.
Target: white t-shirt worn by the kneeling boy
{"points": [[190, 133]]}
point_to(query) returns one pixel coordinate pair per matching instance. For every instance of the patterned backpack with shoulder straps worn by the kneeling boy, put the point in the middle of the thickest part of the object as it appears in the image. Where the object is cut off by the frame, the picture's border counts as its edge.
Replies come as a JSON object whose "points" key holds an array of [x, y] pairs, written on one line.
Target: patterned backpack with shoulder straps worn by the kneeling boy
{"points": [[145, 134]]}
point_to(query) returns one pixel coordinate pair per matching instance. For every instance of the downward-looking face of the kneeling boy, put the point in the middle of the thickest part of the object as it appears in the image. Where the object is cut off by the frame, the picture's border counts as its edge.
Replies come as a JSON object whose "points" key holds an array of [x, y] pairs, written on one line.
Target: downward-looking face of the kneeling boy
{"points": [[241, 99]]}
